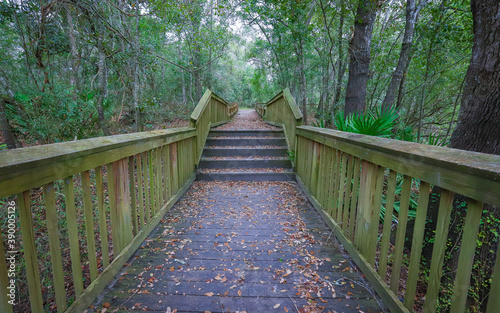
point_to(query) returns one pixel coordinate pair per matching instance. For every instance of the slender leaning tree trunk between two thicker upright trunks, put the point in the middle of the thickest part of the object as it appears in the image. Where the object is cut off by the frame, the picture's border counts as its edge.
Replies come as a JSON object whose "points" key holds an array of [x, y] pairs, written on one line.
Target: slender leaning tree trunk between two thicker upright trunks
{"points": [[412, 12]]}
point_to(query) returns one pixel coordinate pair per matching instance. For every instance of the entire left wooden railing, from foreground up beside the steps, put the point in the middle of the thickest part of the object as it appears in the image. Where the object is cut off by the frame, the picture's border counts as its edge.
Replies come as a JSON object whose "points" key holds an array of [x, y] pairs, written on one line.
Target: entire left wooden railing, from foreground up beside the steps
{"points": [[82, 208]]}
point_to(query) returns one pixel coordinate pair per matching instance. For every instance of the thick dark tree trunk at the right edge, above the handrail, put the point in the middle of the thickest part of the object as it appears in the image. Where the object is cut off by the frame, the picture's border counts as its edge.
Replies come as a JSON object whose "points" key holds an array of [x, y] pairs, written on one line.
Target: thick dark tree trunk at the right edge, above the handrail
{"points": [[478, 126]]}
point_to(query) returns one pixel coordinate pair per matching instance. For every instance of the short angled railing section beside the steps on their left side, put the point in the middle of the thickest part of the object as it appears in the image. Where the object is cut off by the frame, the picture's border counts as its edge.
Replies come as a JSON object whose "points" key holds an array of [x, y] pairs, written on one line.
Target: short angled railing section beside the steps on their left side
{"points": [[211, 111]]}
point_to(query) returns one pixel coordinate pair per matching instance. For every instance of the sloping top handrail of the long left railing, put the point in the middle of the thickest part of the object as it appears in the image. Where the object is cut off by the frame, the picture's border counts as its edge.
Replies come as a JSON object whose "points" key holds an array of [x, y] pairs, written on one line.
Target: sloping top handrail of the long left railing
{"points": [[60, 160]]}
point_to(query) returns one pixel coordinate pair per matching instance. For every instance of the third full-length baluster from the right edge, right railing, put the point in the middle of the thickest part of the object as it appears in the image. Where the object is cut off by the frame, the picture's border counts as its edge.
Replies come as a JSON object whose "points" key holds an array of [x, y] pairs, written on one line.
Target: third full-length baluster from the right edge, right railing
{"points": [[416, 245]]}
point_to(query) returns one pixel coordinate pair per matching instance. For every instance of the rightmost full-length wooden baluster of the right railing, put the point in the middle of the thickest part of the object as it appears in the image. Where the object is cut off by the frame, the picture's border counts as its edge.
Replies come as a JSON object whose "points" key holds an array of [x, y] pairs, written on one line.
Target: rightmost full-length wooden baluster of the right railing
{"points": [[466, 258]]}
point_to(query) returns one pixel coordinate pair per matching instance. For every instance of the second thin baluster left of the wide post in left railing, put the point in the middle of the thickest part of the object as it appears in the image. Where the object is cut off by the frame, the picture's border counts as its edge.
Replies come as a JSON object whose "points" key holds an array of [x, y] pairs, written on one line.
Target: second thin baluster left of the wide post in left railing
{"points": [[89, 224]]}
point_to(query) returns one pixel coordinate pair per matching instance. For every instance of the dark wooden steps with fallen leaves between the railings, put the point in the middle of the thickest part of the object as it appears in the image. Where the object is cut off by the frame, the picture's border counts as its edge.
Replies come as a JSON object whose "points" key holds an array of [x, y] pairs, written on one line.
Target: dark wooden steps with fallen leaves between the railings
{"points": [[245, 155]]}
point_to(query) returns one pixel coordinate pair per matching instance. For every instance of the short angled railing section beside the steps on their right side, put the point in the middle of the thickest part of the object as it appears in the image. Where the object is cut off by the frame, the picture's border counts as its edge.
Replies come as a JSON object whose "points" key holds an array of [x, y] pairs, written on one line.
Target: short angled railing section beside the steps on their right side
{"points": [[282, 111]]}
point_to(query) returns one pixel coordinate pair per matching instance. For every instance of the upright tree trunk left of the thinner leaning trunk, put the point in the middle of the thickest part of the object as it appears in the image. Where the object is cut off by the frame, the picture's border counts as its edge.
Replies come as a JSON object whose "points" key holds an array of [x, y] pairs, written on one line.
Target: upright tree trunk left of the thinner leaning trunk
{"points": [[359, 50]]}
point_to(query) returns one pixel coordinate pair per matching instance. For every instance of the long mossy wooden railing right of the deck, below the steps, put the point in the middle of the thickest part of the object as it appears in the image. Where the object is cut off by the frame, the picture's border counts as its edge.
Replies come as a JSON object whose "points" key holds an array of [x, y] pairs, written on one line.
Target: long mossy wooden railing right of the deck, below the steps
{"points": [[352, 179]]}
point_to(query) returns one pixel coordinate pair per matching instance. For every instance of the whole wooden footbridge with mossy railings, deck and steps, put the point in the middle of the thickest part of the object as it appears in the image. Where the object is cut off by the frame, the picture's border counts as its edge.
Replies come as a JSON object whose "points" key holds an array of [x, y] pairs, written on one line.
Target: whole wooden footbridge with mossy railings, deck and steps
{"points": [[220, 217]]}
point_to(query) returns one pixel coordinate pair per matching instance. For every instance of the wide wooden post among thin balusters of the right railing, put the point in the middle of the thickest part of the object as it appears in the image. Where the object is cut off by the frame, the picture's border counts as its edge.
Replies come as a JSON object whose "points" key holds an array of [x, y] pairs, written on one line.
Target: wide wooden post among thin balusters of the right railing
{"points": [[370, 198]]}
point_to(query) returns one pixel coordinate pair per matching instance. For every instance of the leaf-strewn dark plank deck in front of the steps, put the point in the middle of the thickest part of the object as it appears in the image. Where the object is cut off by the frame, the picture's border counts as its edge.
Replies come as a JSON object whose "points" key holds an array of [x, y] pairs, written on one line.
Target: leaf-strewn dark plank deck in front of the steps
{"points": [[240, 246]]}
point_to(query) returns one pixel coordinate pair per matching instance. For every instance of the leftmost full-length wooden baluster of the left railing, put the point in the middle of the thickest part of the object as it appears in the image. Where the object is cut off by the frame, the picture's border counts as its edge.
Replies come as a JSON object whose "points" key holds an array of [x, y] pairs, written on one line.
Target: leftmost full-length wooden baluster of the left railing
{"points": [[29, 248]]}
